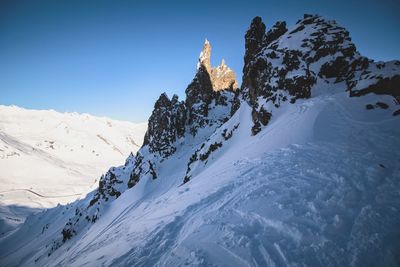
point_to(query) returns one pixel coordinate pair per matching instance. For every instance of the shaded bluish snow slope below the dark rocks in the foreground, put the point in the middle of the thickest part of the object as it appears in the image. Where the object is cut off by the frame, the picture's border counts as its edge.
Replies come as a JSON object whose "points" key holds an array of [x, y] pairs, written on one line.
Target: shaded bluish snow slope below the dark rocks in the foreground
{"points": [[319, 186]]}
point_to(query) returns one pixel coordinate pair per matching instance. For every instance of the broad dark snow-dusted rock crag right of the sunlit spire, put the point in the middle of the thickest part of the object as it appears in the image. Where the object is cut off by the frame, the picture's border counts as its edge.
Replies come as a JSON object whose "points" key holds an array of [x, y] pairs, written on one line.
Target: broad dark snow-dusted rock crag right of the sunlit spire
{"points": [[282, 65]]}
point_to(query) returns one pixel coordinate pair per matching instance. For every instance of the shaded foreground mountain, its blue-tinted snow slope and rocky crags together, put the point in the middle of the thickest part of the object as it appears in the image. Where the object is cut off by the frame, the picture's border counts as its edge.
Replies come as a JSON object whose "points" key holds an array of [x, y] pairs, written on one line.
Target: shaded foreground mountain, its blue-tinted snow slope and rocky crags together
{"points": [[299, 166]]}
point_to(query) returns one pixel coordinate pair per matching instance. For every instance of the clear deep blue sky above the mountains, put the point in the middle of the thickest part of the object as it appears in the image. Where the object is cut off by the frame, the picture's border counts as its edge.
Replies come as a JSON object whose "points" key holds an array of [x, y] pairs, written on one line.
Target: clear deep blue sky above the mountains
{"points": [[114, 58]]}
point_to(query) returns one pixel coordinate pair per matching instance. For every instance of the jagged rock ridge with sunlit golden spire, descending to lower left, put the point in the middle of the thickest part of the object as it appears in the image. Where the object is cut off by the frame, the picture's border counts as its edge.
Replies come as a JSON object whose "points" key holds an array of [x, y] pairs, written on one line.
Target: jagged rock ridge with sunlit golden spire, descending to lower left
{"points": [[208, 105]]}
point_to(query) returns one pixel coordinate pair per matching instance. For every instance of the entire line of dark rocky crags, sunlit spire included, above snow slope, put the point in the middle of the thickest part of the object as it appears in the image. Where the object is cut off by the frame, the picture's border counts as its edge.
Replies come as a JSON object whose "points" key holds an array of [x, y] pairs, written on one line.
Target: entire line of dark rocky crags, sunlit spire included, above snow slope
{"points": [[280, 67]]}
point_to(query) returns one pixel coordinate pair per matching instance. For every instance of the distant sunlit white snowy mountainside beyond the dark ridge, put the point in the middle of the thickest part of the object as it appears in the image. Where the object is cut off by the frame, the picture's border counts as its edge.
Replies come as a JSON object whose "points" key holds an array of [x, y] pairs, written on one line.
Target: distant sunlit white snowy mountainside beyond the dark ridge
{"points": [[48, 157]]}
